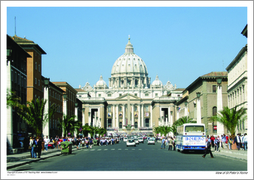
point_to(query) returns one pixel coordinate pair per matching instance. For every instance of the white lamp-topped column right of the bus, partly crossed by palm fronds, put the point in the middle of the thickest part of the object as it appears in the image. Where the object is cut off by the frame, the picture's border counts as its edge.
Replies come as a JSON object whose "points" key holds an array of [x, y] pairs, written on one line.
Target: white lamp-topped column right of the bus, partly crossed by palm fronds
{"points": [[220, 126]]}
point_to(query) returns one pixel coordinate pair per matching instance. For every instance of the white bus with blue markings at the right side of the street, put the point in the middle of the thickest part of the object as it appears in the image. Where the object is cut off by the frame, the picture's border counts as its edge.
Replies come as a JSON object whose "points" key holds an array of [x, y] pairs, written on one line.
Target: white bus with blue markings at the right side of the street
{"points": [[190, 137]]}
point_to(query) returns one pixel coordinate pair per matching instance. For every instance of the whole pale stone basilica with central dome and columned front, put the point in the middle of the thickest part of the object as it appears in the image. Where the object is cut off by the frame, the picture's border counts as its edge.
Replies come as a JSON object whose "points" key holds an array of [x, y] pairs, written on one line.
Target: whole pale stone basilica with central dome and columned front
{"points": [[130, 100]]}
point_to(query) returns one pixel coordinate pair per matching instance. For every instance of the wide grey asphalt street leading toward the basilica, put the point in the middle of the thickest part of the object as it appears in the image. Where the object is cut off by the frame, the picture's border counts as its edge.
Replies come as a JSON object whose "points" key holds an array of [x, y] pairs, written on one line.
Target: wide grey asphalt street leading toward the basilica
{"points": [[143, 157]]}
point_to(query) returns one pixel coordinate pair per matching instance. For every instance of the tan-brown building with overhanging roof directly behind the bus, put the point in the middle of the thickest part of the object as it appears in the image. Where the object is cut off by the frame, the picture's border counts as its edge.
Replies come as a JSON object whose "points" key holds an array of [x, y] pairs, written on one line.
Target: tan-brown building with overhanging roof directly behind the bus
{"points": [[203, 98]]}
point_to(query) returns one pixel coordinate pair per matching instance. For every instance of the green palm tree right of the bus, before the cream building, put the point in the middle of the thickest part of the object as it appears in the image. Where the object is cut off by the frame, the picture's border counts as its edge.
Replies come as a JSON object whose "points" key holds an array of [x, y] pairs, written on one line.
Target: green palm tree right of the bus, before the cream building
{"points": [[231, 117]]}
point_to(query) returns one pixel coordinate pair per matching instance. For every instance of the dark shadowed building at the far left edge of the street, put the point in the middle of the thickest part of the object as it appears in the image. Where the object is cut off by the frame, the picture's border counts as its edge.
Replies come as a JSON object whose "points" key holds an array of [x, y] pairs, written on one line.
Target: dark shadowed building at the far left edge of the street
{"points": [[16, 82]]}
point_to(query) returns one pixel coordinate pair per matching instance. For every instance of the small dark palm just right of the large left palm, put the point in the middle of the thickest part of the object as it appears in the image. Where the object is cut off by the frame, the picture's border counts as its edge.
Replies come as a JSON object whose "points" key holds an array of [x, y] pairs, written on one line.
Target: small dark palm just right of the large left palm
{"points": [[68, 124]]}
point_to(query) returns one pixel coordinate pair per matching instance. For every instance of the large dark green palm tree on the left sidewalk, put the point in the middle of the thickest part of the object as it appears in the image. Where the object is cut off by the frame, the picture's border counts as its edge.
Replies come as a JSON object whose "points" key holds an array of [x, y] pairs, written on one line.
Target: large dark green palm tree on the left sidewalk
{"points": [[33, 114]]}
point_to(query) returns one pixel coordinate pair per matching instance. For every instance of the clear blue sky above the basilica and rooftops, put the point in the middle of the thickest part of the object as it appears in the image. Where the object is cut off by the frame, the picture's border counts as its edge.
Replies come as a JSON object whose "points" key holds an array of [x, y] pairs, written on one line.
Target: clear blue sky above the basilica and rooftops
{"points": [[178, 44]]}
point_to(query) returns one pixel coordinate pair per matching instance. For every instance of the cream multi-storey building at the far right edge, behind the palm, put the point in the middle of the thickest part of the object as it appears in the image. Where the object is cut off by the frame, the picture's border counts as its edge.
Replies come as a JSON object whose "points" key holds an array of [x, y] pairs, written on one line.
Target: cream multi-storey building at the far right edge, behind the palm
{"points": [[238, 83]]}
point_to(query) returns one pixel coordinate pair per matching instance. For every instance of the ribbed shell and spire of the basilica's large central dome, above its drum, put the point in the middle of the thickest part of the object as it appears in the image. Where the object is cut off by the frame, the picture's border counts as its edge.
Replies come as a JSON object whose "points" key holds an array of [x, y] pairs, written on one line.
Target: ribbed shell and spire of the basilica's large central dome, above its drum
{"points": [[129, 64]]}
